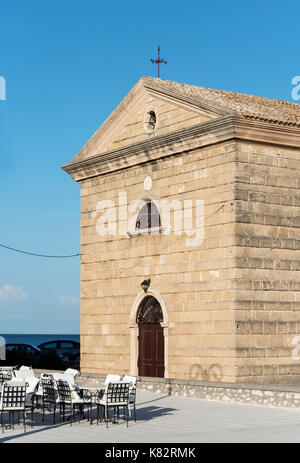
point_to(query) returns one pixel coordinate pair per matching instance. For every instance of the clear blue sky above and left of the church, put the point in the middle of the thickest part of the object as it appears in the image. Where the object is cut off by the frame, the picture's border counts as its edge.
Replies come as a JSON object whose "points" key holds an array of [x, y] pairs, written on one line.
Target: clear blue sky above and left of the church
{"points": [[67, 64]]}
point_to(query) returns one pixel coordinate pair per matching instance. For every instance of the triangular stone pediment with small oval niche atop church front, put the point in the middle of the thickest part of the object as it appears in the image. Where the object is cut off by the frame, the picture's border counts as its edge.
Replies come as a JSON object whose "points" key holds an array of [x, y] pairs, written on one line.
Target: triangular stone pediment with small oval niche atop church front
{"points": [[132, 121]]}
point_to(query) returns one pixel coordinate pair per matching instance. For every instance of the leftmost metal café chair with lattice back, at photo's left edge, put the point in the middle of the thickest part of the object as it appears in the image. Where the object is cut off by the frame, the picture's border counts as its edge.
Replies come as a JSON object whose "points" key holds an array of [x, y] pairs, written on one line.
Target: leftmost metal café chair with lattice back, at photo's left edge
{"points": [[13, 397]]}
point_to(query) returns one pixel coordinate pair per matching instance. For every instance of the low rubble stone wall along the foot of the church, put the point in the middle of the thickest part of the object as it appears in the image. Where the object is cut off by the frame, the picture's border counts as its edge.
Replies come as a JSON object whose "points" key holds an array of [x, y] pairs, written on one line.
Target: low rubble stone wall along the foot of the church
{"points": [[268, 395]]}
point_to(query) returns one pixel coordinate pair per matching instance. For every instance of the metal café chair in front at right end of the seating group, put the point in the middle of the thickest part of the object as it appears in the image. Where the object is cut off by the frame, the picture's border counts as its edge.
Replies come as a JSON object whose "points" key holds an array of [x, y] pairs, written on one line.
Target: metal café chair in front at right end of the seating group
{"points": [[116, 396]]}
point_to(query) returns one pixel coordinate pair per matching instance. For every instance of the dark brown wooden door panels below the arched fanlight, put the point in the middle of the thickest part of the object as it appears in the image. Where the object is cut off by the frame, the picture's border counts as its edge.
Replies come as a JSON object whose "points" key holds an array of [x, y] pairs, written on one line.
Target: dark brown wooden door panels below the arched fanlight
{"points": [[151, 350]]}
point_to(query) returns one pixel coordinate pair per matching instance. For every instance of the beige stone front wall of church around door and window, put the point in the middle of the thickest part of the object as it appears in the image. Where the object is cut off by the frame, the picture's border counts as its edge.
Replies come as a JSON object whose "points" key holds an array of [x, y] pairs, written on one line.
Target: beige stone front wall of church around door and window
{"points": [[196, 283]]}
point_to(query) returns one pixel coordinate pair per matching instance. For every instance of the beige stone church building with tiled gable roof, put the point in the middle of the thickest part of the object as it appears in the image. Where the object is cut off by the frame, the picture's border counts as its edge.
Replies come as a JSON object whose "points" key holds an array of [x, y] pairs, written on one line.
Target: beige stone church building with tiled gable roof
{"points": [[190, 237]]}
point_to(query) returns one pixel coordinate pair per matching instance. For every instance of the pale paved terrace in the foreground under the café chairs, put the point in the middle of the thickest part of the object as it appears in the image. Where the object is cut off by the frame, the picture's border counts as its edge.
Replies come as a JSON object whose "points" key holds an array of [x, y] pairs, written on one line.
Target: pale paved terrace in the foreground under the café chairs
{"points": [[169, 419]]}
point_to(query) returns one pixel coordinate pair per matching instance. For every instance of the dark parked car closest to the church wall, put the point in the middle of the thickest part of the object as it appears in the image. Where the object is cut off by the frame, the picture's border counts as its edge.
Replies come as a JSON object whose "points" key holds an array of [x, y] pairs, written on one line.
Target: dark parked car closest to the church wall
{"points": [[67, 349]]}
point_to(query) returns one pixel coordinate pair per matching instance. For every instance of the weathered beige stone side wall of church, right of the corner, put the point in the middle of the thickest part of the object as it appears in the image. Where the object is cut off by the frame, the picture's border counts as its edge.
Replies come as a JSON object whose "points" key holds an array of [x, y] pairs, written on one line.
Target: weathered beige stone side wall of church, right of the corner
{"points": [[267, 284]]}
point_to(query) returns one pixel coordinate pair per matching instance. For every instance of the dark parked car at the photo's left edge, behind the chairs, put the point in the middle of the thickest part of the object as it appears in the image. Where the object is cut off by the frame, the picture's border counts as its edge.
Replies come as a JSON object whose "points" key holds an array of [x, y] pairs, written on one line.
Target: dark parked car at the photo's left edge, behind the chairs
{"points": [[27, 354]]}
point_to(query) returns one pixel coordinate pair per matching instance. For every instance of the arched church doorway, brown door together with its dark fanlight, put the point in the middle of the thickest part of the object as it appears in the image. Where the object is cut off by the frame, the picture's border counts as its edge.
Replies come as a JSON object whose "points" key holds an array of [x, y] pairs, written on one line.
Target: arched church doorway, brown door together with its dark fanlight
{"points": [[151, 348]]}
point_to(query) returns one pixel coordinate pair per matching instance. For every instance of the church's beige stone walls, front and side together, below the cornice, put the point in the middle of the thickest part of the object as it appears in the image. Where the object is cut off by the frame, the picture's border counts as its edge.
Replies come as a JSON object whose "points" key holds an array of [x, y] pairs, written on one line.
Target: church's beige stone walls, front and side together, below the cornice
{"points": [[233, 302]]}
